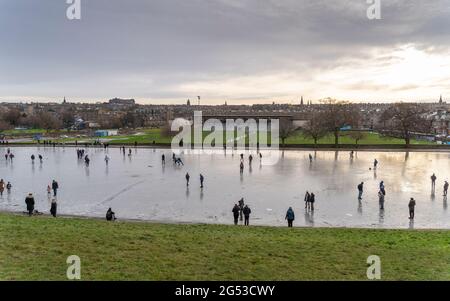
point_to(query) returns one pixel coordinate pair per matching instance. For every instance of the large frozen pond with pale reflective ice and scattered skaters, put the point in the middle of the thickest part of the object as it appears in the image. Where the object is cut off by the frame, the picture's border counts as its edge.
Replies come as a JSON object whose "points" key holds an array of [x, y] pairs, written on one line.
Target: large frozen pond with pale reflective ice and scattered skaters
{"points": [[140, 187]]}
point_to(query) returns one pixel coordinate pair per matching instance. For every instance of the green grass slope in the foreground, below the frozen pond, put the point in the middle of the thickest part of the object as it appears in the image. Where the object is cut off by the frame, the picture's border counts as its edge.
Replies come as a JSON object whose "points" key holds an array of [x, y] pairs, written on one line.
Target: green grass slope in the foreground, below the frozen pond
{"points": [[36, 248]]}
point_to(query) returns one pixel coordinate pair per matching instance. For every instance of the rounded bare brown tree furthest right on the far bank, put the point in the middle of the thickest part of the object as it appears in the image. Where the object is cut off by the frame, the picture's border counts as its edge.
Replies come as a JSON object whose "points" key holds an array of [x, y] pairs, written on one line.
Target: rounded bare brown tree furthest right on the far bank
{"points": [[402, 120]]}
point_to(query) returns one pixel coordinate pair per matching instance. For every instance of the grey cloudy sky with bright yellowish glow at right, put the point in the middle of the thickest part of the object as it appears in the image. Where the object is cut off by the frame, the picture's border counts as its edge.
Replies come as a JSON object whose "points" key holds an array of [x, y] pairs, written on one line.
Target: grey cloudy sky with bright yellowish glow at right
{"points": [[242, 51]]}
